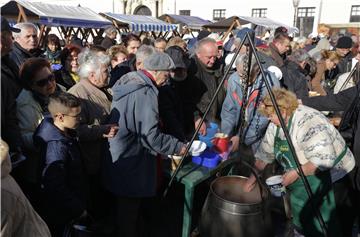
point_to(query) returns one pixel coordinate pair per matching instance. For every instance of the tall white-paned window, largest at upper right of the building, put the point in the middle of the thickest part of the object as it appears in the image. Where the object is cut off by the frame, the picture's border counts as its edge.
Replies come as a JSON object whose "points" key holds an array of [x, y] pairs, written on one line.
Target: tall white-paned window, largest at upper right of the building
{"points": [[305, 20]]}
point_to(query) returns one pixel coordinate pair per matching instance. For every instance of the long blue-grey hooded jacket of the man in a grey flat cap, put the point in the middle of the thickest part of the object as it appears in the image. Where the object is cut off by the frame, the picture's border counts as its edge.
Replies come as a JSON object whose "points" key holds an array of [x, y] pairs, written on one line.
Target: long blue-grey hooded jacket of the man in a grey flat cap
{"points": [[130, 166]]}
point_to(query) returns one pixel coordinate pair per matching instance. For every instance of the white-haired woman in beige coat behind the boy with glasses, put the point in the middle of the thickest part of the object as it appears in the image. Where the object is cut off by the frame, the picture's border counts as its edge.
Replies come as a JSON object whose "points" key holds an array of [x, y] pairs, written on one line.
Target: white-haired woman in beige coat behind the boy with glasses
{"points": [[95, 108]]}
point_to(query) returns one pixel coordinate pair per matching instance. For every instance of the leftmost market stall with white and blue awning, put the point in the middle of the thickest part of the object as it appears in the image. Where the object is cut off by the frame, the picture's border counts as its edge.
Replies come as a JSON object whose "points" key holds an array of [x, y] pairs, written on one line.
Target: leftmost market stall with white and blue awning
{"points": [[69, 20]]}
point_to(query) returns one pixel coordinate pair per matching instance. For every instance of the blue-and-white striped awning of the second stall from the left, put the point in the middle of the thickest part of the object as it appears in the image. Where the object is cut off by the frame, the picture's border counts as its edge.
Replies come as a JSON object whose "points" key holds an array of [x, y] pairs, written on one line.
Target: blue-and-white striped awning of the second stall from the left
{"points": [[140, 22]]}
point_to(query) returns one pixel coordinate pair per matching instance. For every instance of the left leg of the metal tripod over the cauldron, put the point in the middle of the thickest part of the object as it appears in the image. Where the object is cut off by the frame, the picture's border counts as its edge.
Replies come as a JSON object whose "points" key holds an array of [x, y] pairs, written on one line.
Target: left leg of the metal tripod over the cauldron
{"points": [[203, 118]]}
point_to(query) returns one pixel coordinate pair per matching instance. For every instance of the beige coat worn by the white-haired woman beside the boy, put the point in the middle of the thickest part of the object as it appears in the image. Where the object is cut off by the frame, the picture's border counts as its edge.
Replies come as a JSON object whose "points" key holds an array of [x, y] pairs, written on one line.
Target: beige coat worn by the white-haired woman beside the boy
{"points": [[95, 109]]}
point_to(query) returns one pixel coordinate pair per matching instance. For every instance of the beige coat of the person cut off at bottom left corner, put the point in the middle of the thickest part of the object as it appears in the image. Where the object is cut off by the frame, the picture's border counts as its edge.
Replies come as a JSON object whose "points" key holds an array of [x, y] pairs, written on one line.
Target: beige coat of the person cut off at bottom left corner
{"points": [[18, 217]]}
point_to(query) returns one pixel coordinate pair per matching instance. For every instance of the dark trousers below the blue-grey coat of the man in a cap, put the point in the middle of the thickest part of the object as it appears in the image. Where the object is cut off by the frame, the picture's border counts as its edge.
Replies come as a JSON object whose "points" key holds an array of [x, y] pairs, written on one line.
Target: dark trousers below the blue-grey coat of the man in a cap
{"points": [[136, 216]]}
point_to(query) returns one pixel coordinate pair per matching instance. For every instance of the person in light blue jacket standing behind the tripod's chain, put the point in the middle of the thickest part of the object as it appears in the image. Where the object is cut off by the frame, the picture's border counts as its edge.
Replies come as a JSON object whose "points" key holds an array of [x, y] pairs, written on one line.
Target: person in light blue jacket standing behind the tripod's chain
{"points": [[231, 108]]}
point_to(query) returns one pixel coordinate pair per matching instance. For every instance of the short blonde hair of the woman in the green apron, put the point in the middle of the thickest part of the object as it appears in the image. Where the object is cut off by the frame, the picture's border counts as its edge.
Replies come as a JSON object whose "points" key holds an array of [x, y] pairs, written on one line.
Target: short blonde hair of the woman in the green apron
{"points": [[286, 100]]}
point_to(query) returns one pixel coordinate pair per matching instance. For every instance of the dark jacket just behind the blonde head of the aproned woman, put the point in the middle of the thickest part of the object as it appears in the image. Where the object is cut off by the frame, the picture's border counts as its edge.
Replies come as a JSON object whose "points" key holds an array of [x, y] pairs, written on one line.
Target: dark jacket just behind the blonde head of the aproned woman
{"points": [[294, 79]]}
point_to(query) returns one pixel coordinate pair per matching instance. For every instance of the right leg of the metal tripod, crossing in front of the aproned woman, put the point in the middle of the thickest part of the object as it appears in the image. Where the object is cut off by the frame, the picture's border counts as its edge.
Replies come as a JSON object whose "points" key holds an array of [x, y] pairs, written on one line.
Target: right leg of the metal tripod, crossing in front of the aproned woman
{"points": [[291, 146]]}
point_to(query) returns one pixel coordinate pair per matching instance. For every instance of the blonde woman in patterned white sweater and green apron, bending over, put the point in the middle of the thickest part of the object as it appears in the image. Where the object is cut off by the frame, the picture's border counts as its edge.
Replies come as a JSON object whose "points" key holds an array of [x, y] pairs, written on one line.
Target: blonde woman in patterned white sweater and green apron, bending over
{"points": [[324, 157]]}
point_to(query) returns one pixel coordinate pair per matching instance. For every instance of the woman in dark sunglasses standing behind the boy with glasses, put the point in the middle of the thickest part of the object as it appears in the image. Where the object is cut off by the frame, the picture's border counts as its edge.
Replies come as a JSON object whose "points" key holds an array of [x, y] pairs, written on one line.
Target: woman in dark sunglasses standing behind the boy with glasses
{"points": [[39, 84]]}
